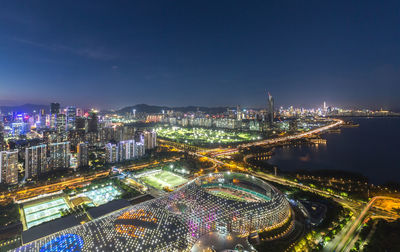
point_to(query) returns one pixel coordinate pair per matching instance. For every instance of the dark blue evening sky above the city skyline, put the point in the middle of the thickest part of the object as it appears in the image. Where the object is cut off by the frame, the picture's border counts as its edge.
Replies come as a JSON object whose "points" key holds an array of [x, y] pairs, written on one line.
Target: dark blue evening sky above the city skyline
{"points": [[117, 53]]}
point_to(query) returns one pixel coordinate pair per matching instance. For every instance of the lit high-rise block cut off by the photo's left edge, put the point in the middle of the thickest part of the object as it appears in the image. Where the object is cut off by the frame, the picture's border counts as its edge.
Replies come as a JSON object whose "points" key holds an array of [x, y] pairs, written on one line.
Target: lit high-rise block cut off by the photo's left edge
{"points": [[9, 167]]}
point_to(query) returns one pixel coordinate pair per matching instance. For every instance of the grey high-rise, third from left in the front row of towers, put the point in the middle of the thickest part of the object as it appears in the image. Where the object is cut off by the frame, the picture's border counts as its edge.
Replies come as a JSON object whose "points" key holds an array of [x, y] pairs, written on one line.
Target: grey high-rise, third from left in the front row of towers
{"points": [[59, 155]]}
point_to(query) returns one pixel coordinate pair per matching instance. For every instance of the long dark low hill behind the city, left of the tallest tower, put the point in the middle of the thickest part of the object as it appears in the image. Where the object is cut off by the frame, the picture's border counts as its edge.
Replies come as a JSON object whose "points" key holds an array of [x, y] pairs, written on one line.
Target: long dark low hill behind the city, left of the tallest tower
{"points": [[158, 109]]}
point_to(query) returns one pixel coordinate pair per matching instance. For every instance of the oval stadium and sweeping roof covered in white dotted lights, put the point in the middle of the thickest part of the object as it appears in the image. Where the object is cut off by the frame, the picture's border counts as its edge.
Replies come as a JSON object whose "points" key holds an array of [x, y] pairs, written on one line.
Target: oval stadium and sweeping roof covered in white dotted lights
{"points": [[230, 203]]}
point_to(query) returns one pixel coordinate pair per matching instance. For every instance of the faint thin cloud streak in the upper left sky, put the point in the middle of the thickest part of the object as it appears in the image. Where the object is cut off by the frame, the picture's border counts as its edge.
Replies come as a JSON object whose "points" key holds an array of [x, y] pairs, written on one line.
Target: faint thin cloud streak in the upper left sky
{"points": [[97, 53]]}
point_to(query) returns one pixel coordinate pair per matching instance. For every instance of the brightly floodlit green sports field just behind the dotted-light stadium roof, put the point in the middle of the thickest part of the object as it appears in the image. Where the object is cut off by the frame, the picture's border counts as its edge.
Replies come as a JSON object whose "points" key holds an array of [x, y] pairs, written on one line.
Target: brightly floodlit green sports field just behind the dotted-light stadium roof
{"points": [[163, 179]]}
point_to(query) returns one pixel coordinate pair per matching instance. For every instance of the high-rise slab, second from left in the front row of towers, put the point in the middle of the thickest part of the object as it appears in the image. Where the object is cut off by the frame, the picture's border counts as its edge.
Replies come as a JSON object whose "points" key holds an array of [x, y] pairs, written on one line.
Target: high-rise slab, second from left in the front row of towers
{"points": [[35, 161]]}
